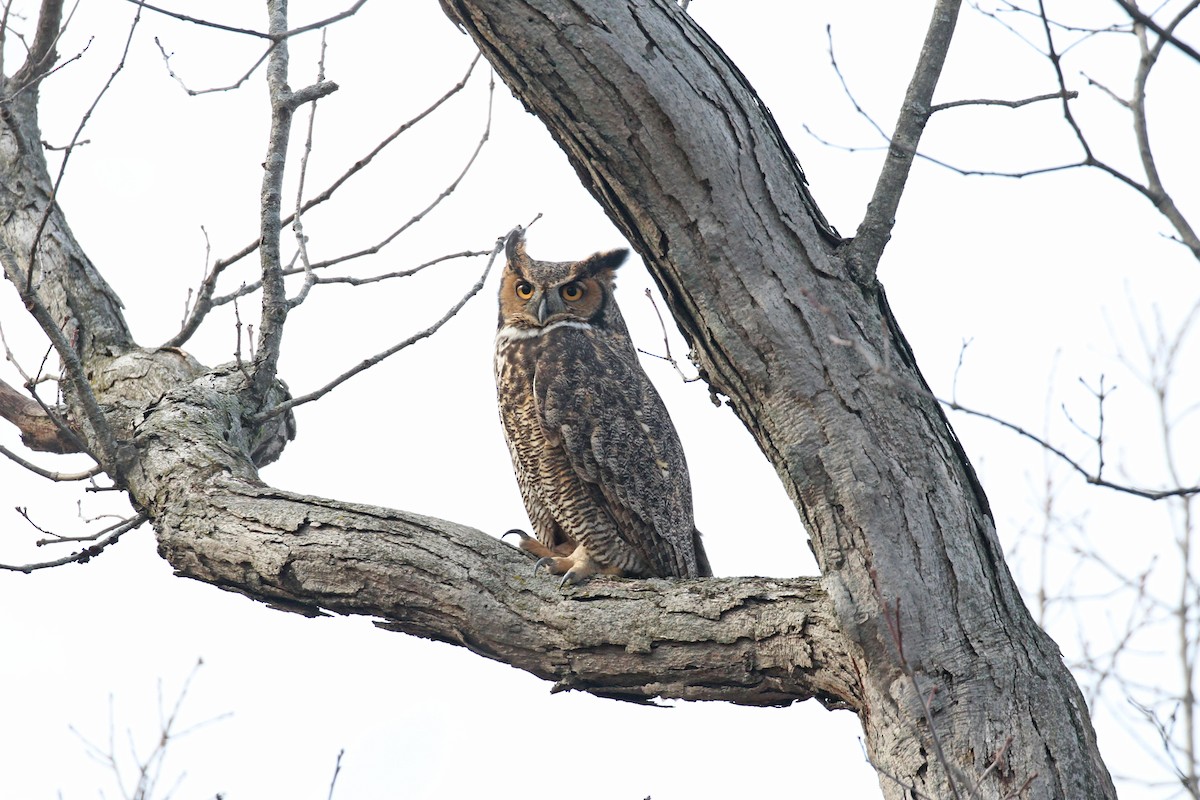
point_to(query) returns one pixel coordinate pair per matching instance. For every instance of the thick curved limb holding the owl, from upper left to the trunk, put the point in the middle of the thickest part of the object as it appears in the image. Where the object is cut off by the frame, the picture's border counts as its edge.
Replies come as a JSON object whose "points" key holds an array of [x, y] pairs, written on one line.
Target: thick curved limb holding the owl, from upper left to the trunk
{"points": [[189, 461]]}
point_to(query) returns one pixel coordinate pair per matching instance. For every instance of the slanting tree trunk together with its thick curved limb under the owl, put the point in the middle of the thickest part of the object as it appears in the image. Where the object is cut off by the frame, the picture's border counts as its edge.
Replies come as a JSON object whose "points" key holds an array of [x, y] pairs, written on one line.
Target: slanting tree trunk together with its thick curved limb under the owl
{"points": [[916, 624]]}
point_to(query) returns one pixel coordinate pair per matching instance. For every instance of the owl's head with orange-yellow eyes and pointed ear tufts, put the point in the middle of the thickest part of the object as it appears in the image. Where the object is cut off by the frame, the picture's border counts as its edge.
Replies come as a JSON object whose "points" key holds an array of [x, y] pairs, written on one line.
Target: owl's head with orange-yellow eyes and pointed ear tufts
{"points": [[537, 294]]}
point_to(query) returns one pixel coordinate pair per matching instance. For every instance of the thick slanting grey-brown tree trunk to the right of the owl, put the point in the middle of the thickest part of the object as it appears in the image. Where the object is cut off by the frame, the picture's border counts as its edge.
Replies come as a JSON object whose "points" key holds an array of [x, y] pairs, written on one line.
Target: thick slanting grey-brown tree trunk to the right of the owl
{"points": [[670, 139]]}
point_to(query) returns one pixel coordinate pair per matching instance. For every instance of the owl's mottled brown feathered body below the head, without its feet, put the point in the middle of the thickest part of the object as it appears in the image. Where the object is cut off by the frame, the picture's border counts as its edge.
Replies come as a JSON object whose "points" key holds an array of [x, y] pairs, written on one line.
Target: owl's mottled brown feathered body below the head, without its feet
{"points": [[586, 428]]}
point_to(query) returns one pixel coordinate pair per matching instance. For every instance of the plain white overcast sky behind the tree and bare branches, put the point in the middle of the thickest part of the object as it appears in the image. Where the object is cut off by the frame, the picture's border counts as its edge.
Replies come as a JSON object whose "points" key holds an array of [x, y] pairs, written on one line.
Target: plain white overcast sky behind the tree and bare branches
{"points": [[1042, 275]]}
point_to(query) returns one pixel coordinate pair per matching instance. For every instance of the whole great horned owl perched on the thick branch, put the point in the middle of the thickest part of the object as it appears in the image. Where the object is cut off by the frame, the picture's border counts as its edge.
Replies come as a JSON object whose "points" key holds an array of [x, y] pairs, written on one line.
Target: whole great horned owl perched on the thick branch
{"points": [[599, 462]]}
